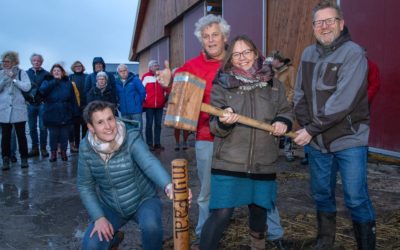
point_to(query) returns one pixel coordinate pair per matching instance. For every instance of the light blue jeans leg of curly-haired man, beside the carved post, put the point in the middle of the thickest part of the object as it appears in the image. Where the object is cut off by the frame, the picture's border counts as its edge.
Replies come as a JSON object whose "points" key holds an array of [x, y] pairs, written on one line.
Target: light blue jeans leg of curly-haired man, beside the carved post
{"points": [[204, 151]]}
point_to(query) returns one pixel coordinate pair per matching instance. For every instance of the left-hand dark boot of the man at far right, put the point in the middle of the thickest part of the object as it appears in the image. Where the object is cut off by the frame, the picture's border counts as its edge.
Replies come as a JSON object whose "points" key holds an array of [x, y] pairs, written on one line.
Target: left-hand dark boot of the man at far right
{"points": [[326, 230]]}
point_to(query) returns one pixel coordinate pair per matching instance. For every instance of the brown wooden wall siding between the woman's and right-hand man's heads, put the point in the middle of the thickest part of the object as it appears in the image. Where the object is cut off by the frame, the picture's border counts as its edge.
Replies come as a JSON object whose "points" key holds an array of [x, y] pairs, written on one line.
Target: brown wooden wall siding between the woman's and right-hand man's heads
{"points": [[289, 27]]}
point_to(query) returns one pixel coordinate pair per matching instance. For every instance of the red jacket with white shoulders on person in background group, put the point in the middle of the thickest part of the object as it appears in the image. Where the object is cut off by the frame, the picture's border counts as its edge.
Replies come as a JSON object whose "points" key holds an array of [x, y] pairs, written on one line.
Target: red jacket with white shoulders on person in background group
{"points": [[155, 94]]}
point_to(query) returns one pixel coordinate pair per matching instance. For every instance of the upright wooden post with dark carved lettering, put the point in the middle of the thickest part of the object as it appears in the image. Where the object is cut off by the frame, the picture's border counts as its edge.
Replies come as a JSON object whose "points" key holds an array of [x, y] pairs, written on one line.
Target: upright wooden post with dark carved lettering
{"points": [[180, 204]]}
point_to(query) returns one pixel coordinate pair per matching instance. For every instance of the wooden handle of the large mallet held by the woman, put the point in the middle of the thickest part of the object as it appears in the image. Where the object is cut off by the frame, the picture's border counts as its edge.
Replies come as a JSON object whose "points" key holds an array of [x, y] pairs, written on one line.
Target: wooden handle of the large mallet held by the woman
{"points": [[243, 120]]}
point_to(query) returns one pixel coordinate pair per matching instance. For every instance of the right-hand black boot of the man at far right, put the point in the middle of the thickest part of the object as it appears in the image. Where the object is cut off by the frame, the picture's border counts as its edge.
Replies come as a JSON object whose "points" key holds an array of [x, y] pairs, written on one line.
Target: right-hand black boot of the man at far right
{"points": [[365, 234]]}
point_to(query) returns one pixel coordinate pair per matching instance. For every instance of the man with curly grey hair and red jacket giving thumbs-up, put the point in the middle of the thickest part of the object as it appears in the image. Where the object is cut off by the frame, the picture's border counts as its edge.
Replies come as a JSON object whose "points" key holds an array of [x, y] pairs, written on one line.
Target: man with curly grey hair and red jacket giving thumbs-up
{"points": [[213, 33]]}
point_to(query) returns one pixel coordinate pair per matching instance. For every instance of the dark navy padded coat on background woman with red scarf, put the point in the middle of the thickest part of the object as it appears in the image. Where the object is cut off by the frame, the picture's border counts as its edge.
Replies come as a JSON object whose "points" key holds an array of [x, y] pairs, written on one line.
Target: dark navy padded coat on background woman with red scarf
{"points": [[60, 106]]}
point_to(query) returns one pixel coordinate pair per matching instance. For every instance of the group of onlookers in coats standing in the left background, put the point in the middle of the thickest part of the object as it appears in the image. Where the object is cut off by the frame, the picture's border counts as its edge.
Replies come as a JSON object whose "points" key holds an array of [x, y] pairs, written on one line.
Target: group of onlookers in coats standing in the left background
{"points": [[54, 101]]}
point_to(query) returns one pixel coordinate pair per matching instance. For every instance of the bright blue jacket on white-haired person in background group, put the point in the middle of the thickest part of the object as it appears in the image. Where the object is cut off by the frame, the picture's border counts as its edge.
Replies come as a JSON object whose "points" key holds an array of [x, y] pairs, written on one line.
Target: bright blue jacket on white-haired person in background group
{"points": [[130, 95]]}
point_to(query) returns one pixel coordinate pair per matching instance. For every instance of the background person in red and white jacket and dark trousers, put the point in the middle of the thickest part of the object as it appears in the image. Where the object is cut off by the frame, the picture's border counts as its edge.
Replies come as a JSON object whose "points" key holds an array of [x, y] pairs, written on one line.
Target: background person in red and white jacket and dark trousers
{"points": [[153, 105]]}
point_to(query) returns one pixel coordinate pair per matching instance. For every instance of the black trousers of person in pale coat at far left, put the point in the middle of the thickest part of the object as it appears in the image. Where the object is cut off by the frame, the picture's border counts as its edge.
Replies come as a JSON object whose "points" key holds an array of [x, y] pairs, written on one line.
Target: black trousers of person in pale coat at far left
{"points": [[6, 129]]}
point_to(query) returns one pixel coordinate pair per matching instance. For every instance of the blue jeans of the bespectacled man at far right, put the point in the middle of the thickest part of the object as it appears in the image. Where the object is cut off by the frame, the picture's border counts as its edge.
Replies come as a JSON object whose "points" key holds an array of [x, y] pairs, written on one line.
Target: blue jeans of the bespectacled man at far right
{"points": [[352, 166]]}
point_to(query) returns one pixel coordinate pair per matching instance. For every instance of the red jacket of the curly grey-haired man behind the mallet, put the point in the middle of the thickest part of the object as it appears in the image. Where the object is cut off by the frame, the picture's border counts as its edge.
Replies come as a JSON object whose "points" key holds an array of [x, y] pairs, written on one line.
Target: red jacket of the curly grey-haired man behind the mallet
{"points": [[206, 69]]}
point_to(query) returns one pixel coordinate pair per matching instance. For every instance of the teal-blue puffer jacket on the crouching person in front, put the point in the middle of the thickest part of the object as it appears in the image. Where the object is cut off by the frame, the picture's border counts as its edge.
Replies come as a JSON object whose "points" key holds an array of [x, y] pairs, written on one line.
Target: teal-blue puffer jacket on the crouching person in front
{"points": [[124, 181]]}
